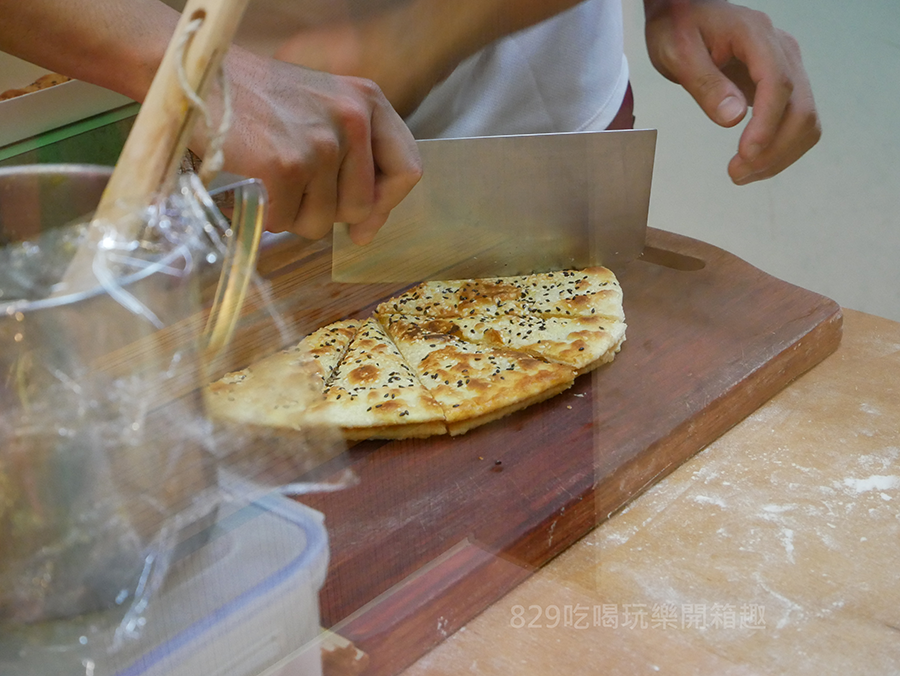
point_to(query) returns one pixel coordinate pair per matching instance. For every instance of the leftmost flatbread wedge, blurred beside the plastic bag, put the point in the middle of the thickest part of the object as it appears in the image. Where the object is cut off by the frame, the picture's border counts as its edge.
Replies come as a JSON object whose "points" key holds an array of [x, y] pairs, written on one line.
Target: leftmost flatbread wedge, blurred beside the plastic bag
{"points": [[277, 391]]}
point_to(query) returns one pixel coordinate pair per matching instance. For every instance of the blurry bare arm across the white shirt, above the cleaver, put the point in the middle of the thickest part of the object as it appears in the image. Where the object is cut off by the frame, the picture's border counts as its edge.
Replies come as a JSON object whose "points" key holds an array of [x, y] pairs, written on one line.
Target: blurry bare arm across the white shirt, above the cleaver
{"points": [[411, 46]]}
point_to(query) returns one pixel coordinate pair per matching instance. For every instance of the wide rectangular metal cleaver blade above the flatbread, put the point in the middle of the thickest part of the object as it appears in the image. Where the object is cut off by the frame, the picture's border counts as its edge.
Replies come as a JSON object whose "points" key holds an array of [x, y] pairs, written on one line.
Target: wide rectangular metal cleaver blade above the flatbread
{"points": [[510, 205]]}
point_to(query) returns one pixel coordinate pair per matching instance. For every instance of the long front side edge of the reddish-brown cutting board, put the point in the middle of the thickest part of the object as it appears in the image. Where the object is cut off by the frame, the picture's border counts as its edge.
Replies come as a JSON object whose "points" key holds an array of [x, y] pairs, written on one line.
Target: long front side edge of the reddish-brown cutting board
{"points": [[407, 622]]}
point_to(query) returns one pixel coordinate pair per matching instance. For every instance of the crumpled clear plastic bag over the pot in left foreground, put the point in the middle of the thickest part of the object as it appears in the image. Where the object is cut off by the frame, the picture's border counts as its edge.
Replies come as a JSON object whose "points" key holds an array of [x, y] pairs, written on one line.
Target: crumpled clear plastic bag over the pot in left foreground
{"points": [[109, 466]]}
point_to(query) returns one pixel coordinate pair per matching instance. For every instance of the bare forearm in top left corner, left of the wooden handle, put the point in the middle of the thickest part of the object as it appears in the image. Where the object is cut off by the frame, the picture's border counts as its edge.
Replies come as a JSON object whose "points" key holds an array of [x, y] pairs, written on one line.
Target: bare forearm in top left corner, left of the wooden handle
{"points": [[112, 43]]}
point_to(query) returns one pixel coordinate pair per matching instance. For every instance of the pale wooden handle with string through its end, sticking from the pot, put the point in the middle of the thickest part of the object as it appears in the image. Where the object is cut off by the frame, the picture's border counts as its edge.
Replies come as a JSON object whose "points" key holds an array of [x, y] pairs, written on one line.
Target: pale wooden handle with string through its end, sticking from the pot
{"points": [[158, 139]]}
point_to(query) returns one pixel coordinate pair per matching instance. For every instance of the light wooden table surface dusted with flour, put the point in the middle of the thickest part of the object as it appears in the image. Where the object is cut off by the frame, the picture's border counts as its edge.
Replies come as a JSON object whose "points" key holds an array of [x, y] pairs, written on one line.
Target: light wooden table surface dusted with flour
{"points": [[776, 550]]}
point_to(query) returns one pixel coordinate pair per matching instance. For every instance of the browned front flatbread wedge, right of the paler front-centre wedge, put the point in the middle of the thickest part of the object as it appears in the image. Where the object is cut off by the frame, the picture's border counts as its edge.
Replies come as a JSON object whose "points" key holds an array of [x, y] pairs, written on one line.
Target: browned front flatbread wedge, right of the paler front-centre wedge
{"points": [[474, 384]]}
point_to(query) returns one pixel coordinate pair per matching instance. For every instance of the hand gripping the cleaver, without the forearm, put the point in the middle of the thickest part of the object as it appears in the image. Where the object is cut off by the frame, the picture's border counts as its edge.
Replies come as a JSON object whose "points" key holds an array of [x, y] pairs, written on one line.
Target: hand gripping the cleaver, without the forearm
{"points": [[328, 149]]}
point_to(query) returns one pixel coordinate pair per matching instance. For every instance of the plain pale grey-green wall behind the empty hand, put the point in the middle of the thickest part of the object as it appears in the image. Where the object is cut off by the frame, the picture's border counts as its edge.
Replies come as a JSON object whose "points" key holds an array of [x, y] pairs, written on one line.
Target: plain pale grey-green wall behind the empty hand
{"points": [[831, 222]]}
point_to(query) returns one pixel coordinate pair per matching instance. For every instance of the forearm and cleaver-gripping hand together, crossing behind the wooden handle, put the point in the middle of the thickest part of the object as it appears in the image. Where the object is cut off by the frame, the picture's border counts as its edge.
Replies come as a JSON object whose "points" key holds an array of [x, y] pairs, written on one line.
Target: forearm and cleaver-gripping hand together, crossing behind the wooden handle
{"points": [[328, 149]]}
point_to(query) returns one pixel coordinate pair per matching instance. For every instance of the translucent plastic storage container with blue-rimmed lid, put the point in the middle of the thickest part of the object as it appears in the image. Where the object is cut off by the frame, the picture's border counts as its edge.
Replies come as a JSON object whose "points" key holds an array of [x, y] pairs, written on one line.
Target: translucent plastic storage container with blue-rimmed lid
{"points": [[245, 603]]}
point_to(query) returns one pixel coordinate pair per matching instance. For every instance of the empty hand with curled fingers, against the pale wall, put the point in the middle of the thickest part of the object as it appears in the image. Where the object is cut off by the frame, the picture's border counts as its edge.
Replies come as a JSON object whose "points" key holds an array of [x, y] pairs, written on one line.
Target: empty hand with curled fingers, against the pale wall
{"points": [[730, 57]]}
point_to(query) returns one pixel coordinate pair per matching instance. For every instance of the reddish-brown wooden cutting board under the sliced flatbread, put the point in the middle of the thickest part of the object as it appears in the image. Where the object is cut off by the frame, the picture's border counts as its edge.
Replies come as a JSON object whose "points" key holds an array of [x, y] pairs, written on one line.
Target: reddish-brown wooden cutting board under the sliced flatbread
{"points": [[438, 529]]}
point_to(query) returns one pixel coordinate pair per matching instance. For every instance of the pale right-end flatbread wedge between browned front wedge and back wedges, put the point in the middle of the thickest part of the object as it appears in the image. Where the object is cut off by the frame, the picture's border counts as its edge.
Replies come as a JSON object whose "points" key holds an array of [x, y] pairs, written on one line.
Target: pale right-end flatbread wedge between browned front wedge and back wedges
{"points": [[584, 343]]}
